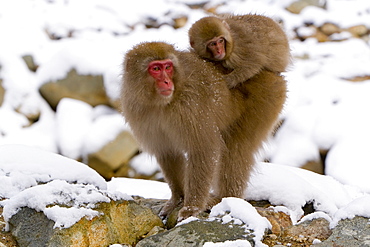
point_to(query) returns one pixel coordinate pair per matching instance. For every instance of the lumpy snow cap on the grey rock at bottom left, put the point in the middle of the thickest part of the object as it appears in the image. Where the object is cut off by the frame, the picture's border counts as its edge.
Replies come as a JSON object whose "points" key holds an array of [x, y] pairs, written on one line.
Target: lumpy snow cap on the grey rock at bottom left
{"points": [[61, 192]]}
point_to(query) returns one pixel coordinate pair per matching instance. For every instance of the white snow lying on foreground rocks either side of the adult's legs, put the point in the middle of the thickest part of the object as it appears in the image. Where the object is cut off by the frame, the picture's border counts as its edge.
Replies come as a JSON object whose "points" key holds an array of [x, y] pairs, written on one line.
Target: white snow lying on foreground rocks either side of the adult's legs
{"points": [[39, 179]]}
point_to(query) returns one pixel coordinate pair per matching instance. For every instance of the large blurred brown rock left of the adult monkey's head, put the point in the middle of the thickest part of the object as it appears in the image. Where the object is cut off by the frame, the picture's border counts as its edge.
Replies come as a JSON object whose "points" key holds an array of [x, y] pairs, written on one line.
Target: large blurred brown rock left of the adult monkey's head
{"points": [[87, 88]]}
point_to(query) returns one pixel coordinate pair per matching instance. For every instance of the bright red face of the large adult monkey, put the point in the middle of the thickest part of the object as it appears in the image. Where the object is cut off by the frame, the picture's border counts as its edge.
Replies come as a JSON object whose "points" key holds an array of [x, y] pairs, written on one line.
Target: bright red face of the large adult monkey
{"points": [[162, 72]]}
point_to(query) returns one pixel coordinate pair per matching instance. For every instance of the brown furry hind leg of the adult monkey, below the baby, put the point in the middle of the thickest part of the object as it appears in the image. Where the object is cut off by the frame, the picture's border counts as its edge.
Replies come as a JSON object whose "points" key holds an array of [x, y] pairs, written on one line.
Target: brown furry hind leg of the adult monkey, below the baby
{"points": [[264, 97]]}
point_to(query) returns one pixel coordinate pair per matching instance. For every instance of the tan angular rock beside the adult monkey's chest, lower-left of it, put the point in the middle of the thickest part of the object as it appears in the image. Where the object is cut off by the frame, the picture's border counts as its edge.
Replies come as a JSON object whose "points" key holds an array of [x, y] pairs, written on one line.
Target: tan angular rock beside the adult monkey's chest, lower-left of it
{"points": [[114, 156]]}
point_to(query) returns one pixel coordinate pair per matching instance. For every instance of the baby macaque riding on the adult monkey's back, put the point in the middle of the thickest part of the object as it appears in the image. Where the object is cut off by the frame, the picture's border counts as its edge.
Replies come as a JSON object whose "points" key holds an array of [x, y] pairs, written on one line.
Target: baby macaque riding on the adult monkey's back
{"points": [[243, 45]]}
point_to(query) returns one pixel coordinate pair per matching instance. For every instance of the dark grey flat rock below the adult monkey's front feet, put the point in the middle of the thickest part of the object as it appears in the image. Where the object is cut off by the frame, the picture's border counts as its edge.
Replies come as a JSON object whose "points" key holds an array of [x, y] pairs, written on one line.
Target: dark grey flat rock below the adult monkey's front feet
{"points": [[196, 233]]}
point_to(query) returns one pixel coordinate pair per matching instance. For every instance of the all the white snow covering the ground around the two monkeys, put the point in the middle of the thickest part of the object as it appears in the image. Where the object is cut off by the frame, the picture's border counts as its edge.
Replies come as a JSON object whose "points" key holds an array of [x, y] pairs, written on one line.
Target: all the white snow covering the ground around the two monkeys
{"points": [[324, 111]]}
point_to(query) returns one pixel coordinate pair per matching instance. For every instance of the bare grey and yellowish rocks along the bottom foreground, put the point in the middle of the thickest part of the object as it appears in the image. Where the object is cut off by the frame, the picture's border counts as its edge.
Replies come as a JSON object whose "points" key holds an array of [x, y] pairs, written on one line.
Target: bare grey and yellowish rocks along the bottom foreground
{"points": [[136, 225]]}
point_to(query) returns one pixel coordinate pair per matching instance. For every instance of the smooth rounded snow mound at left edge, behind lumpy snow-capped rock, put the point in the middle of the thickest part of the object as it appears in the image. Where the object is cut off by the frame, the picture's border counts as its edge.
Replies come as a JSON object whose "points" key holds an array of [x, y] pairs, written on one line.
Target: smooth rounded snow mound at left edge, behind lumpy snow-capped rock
{"points": [[38, 166]]}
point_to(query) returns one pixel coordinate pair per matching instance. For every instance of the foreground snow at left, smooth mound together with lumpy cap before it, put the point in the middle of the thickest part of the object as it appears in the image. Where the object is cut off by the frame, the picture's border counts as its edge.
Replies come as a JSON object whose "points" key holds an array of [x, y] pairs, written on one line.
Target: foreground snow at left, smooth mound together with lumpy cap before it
{"points": [[35, 178]]}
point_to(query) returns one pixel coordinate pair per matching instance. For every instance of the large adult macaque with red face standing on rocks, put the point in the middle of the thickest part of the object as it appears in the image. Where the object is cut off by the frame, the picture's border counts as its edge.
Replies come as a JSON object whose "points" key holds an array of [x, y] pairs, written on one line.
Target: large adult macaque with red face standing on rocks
{"points": [[203, 135]]}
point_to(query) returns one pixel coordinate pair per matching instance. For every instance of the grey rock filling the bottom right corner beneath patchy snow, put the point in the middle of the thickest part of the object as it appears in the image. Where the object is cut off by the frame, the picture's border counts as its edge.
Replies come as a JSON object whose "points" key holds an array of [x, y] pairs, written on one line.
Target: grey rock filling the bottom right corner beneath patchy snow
{"points": [[349, 232]]}
